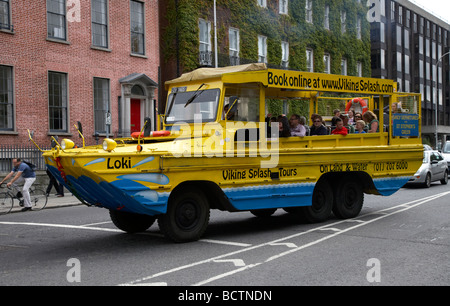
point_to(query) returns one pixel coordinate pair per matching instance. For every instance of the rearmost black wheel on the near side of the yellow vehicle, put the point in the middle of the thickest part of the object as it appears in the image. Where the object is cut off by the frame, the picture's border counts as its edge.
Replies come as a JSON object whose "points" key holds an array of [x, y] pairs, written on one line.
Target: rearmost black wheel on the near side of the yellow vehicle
{"points": [[348, 199]]}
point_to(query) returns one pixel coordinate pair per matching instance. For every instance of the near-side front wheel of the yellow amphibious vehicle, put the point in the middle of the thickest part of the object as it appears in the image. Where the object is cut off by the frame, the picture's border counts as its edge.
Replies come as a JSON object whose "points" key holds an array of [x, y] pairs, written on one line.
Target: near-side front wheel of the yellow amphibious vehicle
{"points": [[187, 216]]}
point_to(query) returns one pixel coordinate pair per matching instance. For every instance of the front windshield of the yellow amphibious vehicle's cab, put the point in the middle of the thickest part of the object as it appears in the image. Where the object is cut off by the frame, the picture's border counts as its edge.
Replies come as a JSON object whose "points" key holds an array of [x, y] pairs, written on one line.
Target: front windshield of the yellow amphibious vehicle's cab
{"points": [[202, 102]]}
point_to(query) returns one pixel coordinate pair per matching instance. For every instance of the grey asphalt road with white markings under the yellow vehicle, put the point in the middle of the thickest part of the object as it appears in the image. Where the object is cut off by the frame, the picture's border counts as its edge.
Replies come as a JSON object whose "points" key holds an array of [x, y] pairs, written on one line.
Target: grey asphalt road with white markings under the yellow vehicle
{"points": [[399, 240]]}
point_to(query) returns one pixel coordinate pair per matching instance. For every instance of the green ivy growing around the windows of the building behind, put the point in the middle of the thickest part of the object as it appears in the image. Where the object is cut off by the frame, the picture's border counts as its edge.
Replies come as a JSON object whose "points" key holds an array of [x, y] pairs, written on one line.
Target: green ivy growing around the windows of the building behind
{"points": [[252, 20]]}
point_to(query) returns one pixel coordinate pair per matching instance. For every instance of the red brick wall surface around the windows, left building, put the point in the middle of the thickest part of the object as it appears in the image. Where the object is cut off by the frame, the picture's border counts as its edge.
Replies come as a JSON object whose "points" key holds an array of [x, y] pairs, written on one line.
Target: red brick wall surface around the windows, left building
{"points": [[32, 56]]}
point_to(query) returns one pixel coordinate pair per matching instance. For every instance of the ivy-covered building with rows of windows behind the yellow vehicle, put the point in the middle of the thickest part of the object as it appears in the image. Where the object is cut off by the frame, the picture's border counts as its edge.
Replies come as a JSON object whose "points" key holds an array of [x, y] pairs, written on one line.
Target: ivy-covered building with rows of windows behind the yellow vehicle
{"points": [[330, 36]]}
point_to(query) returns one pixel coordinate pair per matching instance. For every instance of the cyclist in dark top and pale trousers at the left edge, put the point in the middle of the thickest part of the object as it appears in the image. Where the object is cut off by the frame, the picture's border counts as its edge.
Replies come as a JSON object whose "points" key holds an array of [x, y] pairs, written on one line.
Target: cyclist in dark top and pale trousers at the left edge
{"points": [[22, 175]]}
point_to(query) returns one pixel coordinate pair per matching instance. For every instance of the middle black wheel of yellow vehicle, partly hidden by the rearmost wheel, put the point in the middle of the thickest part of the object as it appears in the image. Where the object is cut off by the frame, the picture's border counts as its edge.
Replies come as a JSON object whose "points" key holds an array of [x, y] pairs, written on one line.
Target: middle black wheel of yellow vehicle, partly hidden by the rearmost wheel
{"points": [[322, 203]]}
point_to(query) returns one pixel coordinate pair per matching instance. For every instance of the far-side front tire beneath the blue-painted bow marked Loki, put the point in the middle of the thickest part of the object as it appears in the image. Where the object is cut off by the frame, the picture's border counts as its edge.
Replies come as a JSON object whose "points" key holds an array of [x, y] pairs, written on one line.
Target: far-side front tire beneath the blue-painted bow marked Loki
{"points": [[131, 223]]}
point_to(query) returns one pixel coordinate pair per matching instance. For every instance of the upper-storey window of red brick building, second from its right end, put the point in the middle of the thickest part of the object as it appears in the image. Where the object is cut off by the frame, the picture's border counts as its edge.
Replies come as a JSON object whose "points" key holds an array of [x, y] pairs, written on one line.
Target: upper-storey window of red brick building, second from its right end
{"points": [[100, 23]]}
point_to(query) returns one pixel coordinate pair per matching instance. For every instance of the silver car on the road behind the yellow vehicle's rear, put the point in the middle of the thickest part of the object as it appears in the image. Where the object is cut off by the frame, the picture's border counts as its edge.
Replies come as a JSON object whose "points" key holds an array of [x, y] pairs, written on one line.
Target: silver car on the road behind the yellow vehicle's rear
{"points": [[434, 168]]}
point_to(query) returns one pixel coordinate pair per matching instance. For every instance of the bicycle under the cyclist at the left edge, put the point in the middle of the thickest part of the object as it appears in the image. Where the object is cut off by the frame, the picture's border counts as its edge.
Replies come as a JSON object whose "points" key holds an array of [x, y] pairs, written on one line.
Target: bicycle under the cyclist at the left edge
{"points": [[38, 200]]}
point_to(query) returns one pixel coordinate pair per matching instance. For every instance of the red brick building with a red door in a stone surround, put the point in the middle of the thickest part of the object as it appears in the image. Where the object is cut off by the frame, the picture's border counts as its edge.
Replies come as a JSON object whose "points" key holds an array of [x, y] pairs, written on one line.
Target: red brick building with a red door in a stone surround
{"points": [[63, 61]]}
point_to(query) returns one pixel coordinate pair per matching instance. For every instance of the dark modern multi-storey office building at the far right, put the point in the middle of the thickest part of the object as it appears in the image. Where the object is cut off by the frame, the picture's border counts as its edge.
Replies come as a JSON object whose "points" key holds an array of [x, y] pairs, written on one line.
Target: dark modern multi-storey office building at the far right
{"points": [[410, 46]]}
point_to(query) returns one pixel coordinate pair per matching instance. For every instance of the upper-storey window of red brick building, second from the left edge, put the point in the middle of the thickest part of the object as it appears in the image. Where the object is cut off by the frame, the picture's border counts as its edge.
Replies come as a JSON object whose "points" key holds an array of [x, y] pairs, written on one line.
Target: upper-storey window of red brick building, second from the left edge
{"points": [[56, 19]]}
